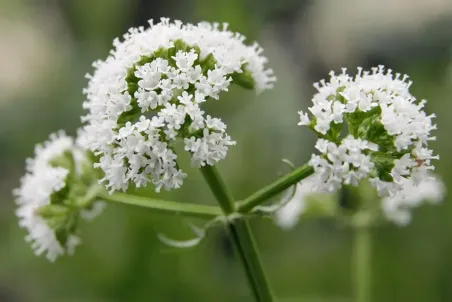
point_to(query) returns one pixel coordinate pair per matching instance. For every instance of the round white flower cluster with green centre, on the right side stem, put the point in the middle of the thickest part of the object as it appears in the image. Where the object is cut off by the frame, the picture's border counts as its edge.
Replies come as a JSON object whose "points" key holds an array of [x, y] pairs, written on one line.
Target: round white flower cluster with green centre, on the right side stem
{"points": [[388, 131]]}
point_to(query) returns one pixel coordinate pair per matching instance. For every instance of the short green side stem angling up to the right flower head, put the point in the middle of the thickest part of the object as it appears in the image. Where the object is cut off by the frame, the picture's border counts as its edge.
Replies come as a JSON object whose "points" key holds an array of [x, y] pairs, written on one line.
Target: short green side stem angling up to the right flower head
{"points": [[274, 188]]}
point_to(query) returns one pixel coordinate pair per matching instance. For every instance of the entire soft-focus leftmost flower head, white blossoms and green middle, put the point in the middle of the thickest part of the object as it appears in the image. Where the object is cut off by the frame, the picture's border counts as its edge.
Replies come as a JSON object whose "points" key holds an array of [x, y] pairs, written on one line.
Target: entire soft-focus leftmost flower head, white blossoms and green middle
{"points": [[41, 198]]}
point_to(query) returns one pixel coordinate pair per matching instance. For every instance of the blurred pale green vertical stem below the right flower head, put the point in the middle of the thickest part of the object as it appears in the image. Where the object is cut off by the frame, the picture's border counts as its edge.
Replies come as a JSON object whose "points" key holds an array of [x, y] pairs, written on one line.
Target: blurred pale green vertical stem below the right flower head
{"points": [[363, 249]]}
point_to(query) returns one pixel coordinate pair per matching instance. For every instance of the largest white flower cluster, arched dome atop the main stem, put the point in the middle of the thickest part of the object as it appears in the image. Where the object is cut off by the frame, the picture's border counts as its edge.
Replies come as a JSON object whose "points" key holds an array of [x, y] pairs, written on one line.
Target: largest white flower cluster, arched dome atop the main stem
{"points": [[148, 93]]}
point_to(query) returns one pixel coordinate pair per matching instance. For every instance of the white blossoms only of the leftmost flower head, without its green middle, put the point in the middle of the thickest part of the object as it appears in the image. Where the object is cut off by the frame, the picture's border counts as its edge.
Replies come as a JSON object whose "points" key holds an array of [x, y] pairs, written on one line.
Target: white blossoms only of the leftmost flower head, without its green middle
{"points": [[42, 183]]}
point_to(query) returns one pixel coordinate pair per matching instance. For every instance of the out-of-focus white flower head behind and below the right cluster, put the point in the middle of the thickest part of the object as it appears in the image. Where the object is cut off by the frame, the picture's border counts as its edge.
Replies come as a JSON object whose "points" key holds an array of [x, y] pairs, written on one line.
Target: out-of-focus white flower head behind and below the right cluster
{"points": [[397, 208]]}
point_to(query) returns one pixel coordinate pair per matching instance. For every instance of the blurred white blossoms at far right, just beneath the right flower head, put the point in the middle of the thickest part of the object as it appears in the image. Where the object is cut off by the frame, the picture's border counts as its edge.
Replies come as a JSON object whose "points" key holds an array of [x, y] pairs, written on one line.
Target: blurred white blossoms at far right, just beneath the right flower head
{"points": [[397, 208]]}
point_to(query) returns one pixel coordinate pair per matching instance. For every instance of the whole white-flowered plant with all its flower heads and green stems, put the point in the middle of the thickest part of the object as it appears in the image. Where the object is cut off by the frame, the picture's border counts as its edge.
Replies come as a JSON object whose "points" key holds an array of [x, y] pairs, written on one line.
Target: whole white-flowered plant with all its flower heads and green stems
{"points": [[149, 93]]}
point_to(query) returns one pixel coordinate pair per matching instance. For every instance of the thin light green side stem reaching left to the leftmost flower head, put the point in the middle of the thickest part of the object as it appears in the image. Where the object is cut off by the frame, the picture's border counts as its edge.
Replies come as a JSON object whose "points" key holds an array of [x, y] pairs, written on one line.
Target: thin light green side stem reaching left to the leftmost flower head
{"points": [[164, 206]]}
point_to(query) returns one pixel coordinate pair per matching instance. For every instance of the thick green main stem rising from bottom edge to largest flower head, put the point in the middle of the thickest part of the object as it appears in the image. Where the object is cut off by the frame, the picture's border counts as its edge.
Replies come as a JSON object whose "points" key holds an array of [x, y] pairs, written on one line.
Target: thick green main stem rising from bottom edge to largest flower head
{"points": [[241, 236]]}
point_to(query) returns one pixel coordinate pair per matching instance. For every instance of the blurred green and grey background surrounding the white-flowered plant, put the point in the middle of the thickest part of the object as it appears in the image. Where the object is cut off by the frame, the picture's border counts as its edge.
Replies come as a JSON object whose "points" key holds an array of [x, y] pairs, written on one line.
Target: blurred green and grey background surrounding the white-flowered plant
{"points": [[46, 47]]}
